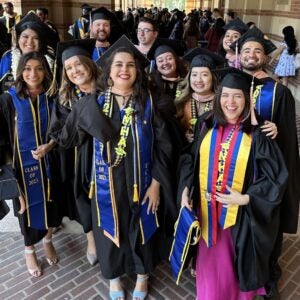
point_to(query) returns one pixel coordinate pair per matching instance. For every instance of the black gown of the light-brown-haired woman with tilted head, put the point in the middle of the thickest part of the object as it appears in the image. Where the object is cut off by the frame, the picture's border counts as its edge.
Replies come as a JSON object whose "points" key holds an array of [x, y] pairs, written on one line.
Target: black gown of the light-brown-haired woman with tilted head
{"points": [[64, 168]]}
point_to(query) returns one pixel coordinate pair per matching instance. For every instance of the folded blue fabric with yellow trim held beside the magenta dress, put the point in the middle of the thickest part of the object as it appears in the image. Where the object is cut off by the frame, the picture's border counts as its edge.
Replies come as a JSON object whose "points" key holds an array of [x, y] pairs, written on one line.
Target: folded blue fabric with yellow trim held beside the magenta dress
{"points": [[187, 233]]}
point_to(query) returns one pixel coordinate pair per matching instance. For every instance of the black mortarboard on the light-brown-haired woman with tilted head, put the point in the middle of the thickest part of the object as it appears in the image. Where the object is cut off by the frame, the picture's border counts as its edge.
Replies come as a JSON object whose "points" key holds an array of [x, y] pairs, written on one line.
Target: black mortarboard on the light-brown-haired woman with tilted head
{"points": [[71, 48]]}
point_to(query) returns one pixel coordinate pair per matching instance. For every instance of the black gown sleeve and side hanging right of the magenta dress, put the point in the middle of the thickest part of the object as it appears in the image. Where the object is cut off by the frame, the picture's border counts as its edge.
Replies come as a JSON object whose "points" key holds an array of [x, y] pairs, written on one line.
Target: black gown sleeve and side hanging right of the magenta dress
{"points": [[256, 229]]}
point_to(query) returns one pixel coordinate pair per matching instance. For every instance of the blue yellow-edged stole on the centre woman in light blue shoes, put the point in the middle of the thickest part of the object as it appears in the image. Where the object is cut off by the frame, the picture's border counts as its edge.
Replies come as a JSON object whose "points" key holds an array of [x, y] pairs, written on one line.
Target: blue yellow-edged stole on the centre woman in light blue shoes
{"points": [[103, 173]]}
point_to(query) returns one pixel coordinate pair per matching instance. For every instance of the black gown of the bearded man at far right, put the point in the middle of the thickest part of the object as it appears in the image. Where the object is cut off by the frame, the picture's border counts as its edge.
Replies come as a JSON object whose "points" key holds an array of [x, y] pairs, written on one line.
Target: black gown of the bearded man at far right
{"points": [[284, 116]]}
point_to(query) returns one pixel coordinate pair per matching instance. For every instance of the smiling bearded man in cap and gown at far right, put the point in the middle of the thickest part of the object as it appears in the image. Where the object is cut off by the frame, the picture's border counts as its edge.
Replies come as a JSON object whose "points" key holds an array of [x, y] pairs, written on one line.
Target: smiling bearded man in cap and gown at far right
{"points": [[274, 102]]}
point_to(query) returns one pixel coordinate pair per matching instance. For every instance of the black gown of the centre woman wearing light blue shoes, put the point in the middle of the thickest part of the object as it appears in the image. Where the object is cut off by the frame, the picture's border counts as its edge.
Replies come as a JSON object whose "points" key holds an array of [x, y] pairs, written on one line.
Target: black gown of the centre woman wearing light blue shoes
{"points": [[131, 257]]}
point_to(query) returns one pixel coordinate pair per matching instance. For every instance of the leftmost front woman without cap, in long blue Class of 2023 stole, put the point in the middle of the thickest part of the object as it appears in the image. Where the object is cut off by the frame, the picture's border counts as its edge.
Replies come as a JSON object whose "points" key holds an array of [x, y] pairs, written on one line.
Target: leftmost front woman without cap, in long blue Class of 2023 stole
{"points": [[25, 110]]}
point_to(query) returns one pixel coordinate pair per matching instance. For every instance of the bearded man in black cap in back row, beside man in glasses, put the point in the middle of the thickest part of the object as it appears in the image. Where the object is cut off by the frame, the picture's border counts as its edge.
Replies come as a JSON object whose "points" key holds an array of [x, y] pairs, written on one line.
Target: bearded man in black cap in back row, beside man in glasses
{"points": [[105, 28]]}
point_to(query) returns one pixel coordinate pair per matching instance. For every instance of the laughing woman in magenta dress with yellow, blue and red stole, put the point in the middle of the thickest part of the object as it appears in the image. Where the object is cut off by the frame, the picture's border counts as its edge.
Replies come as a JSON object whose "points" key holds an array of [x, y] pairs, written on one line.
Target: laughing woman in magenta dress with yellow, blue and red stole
{"points": [[239, 176]]}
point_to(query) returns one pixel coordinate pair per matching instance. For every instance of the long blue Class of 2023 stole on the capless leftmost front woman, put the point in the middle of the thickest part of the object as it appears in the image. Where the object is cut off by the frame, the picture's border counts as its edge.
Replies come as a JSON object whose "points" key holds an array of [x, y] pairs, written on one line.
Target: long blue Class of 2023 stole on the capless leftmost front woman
{"points": [[26, 140]]}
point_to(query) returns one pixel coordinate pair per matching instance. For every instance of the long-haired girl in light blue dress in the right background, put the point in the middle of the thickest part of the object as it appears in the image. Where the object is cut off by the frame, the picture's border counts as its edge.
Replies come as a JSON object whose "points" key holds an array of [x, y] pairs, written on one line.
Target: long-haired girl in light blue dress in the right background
{"points": [[287, 50]]}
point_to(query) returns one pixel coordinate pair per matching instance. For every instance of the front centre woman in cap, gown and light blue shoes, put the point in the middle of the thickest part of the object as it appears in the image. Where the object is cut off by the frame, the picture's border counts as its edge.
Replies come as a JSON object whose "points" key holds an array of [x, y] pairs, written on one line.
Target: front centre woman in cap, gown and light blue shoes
{"points": [[130, 167]]}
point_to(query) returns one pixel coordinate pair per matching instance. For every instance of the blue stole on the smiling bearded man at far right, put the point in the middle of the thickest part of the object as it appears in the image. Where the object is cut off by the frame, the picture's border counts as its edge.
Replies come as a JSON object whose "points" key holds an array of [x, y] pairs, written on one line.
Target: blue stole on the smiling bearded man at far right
{"points": [[264, 99]]}
